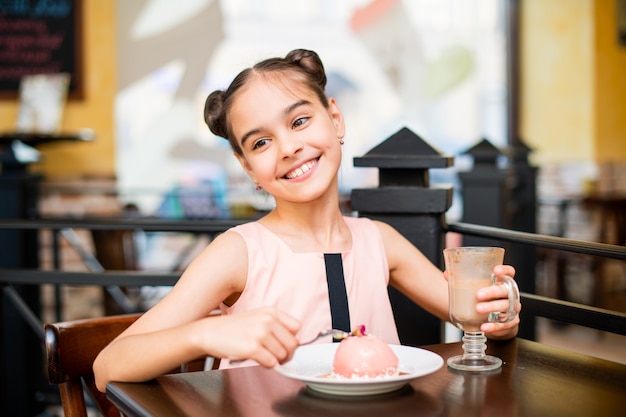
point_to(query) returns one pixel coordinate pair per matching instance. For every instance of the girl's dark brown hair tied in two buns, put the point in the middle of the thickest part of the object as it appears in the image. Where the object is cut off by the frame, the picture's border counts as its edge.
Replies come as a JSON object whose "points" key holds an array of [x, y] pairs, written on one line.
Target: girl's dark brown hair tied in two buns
{"points": [[304, 65]]}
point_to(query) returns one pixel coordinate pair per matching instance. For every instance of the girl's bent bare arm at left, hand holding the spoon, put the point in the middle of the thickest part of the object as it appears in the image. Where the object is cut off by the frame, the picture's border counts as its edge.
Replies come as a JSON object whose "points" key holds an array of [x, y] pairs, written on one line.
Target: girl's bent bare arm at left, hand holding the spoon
{"points": [[180, 327]]}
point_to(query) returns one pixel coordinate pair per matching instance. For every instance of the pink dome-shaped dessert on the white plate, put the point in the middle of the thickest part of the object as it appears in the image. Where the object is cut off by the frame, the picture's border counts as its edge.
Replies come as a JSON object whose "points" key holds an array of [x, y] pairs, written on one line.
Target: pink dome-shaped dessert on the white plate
{"points": [[364, 356]]}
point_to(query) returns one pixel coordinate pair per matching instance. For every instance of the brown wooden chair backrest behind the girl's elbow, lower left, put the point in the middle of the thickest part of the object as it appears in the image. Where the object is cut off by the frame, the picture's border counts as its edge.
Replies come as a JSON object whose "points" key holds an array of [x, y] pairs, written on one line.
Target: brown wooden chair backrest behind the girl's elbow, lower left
{"points": [[71, 347]]}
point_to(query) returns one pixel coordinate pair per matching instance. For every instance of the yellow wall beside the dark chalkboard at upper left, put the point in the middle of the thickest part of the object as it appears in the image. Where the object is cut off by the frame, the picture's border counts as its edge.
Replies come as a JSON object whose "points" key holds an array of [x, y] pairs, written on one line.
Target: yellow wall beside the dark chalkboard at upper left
{"points": [[84, 159]]}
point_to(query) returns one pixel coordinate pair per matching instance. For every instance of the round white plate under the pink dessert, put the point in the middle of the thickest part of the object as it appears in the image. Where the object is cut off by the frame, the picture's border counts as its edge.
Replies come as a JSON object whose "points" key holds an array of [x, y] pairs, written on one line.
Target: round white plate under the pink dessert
{"points": [[310, 364]]}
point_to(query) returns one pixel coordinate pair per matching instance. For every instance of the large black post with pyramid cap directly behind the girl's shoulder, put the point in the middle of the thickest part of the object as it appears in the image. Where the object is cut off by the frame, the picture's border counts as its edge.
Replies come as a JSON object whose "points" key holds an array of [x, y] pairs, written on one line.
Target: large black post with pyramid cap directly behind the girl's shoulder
{"points": [[405, 201]]}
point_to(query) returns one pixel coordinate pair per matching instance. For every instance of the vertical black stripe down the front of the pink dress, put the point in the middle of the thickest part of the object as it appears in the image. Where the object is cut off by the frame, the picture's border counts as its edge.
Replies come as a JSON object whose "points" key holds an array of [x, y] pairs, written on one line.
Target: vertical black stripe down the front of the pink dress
{"points": [[337, 294]]}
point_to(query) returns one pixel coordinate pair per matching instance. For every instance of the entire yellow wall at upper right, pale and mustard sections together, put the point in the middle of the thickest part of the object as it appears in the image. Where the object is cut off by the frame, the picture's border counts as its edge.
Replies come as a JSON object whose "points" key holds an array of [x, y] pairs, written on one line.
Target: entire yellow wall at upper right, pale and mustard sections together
{"points": [[572, 81]]}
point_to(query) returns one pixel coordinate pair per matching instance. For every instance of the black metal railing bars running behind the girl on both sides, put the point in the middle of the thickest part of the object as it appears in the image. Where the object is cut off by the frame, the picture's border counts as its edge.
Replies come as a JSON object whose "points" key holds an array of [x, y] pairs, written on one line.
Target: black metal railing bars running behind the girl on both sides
{"points": [[534, 305]]}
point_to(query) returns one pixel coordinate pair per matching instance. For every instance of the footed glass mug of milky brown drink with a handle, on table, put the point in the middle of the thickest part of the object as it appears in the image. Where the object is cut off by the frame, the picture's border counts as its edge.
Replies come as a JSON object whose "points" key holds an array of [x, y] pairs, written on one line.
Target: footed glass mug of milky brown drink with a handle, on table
{"points": [[469, 269]]}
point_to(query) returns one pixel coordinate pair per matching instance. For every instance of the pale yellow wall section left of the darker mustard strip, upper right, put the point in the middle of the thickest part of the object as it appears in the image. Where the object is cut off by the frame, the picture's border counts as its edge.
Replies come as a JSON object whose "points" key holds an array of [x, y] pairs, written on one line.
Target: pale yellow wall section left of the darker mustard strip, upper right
{"points": [[556, 79]]}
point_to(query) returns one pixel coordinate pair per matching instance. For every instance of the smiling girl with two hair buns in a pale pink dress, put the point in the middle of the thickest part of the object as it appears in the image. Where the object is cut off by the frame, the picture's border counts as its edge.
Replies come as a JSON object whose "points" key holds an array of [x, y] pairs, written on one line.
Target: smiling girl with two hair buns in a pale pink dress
{"points": [[268, 277]]}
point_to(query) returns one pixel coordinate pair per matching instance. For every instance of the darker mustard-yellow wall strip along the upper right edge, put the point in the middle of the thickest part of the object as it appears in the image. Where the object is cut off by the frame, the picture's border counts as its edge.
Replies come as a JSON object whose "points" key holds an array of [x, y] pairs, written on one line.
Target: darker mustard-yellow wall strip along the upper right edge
{"points": [[610, 86]]}
